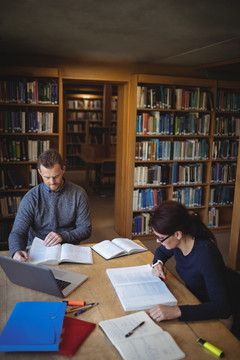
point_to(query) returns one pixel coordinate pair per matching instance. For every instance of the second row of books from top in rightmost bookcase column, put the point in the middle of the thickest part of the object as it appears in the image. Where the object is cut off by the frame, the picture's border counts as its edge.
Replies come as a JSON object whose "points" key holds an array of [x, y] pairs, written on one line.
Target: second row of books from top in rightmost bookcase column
{"points": [[227, 125]]}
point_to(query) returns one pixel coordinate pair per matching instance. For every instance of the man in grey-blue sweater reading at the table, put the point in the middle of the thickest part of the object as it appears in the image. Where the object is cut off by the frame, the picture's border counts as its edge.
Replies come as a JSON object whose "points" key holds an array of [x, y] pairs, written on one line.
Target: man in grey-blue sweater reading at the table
{"points": [[56, 210]]}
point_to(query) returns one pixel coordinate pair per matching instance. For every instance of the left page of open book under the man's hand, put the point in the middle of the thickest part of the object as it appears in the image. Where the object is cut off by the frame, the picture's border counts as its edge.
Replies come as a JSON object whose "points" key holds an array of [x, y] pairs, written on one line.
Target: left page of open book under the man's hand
{"points": [[39, 253]]}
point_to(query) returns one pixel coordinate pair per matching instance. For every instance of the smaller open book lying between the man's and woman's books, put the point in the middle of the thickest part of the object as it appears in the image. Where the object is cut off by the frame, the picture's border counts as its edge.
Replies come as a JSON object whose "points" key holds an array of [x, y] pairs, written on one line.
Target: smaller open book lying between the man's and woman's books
{"points": [[117, 247]]}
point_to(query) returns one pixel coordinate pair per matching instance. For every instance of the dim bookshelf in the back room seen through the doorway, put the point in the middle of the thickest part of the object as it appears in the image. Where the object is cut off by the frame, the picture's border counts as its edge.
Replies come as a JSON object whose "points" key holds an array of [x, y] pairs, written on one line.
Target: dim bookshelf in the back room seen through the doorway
{"points": [[91, 121]]}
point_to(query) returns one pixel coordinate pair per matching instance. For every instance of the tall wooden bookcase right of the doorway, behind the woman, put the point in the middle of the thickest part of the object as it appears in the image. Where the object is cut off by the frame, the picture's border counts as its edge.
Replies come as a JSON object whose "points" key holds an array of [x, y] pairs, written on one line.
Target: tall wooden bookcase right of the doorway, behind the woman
{"points": [[180, 135]]}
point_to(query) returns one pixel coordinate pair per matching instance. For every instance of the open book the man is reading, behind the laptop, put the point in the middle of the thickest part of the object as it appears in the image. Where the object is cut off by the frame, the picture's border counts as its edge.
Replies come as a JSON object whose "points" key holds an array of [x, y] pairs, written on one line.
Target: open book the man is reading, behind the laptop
{"points": [[53, 255]]}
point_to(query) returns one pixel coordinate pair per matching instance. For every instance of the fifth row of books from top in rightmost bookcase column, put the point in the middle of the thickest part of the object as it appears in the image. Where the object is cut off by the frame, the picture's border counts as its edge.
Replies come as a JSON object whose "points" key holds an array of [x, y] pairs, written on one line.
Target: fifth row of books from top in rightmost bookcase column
{"points": [[222, 195]]}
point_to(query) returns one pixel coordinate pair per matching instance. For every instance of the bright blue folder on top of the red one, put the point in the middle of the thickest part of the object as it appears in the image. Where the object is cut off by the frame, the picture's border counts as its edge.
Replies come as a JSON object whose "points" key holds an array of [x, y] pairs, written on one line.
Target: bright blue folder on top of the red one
{"points": [[33, 326]]}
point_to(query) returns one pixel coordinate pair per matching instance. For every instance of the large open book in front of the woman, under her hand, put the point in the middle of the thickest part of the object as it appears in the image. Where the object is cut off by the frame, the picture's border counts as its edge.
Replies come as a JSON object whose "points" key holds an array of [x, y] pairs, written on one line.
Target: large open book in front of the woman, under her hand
{"points": [[138, 289]]}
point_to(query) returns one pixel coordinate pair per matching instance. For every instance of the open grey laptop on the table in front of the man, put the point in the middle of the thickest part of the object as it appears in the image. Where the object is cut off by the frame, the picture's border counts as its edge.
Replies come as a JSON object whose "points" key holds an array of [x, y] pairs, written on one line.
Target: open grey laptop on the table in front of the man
{"points": [[42, 278]]}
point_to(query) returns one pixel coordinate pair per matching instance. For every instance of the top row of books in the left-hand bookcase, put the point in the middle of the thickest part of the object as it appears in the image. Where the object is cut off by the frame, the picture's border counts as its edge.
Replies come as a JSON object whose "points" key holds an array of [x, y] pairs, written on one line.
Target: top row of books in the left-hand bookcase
{"points": [[25, 91]]}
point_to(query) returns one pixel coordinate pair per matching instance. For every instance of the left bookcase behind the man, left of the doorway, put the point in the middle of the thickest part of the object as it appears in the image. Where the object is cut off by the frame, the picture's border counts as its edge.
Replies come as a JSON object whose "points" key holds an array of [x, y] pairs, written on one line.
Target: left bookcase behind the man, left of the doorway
{"points": [[29, 124]]}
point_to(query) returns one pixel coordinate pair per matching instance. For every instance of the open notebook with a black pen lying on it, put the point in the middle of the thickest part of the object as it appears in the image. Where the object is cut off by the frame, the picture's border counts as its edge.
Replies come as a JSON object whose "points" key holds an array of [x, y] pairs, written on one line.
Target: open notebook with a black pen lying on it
{"points": [[147, 342]]}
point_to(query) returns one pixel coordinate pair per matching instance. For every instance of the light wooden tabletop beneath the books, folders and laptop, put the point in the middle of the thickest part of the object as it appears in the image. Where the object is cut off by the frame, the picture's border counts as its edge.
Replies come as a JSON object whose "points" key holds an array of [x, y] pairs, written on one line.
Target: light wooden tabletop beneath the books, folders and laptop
{"points": [[99, 289]]}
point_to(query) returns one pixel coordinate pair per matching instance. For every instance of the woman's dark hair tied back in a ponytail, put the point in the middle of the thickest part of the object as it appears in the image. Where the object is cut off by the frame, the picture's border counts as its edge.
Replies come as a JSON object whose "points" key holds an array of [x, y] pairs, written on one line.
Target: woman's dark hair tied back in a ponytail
{"points": [[171, 216]]}
